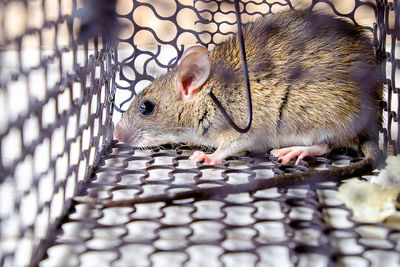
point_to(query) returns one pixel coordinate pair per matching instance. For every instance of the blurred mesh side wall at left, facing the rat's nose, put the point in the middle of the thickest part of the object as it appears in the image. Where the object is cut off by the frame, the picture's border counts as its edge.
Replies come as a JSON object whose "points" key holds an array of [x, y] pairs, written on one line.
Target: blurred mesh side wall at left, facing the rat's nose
{"points": [[55, 99]]}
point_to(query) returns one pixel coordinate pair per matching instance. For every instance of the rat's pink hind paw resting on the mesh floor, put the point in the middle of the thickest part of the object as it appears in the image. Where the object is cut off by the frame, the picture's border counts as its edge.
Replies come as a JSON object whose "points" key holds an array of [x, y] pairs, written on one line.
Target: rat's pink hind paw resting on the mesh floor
{"points": [[288, 153]]}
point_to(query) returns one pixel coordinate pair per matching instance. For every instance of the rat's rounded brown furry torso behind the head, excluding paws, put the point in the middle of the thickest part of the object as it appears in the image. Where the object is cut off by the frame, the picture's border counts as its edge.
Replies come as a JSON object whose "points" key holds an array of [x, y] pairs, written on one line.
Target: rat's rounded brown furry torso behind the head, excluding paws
{"points": [[313, 78]]}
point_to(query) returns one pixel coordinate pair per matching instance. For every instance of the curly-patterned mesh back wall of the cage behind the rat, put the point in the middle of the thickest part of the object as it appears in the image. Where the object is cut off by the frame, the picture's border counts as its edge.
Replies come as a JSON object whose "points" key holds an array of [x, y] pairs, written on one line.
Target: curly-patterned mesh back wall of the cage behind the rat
{"points": [[156, 32]]}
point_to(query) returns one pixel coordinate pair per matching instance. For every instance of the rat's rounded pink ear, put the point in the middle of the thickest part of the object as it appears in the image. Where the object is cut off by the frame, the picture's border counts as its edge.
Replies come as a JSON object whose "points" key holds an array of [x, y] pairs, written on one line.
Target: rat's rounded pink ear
{"points": [[193, 71]]}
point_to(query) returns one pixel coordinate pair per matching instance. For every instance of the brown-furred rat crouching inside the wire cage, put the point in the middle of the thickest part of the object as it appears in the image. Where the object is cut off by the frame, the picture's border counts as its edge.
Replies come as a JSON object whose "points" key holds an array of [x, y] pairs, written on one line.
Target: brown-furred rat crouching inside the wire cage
{"points": [[315, 86]]}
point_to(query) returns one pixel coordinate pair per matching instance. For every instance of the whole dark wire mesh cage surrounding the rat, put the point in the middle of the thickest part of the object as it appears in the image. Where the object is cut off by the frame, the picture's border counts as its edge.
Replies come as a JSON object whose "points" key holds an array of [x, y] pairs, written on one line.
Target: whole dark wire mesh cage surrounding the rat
{"points": [[68, 71]]}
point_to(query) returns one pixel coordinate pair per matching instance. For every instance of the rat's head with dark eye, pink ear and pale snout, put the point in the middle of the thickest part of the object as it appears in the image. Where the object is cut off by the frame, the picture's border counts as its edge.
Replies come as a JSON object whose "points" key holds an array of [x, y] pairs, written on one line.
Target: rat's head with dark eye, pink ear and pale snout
{"points": [[162, 112]]}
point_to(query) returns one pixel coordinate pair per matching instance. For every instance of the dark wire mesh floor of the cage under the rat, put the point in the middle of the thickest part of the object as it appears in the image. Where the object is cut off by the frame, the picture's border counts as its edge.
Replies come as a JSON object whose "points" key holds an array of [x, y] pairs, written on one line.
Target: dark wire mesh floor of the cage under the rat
{"points": [[303, 225]]}
